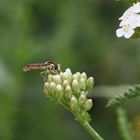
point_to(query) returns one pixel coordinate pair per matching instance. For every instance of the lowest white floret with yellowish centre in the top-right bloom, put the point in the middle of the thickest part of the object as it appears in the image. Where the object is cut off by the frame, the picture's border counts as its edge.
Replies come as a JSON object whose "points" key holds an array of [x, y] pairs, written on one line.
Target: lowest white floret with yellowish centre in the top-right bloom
{"points": [[125, 31]]}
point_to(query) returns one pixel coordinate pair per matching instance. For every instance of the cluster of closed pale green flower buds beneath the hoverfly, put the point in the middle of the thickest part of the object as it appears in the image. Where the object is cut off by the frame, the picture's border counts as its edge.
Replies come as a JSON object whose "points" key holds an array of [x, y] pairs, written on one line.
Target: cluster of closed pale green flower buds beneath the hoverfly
{"points": [[70, 90]]}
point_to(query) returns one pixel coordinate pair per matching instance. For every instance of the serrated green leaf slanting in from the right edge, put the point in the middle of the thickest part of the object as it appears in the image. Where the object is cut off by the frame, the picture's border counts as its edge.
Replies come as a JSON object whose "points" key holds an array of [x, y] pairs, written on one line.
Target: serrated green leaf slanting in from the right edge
{"points": [[132, 93]]}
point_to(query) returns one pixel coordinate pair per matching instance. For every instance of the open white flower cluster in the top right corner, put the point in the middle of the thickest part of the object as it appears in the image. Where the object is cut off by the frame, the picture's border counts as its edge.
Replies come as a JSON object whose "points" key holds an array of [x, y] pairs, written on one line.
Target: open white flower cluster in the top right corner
{"points": [[130, 22]]}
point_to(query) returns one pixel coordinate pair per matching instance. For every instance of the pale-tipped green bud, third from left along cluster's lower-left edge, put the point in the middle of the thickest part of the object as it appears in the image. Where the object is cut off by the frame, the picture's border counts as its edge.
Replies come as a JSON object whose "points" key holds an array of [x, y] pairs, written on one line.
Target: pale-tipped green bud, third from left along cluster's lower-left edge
{"points": [[59, 92]]}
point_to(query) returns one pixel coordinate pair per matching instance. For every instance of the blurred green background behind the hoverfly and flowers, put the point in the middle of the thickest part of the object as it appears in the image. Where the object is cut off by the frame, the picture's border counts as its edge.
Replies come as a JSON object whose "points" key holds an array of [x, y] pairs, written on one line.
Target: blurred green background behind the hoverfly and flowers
{"points": [[79, 34]]}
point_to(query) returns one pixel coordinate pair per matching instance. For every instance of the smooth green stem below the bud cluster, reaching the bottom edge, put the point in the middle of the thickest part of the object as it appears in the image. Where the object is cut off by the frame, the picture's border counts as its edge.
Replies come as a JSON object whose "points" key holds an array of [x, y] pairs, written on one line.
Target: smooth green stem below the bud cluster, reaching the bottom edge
{"points": [[91, 131]]}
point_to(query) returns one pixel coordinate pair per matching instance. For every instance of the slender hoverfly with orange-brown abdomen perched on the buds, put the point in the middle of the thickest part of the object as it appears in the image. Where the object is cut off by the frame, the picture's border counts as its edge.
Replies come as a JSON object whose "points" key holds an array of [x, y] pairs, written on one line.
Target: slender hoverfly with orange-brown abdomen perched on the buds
{"points": [[49, 65]]}
